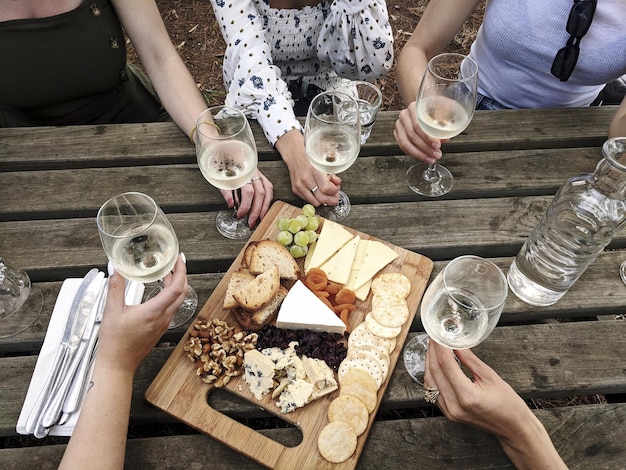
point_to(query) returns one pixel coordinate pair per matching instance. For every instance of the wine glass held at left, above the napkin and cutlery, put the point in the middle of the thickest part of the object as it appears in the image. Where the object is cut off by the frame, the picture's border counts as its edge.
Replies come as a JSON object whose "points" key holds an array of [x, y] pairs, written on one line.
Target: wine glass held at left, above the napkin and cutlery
{"points": [[141, 244]]}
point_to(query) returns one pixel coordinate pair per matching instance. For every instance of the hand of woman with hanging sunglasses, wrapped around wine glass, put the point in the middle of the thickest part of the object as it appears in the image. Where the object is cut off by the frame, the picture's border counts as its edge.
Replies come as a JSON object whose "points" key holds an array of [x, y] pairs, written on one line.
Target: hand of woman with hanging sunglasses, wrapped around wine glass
{"points": [[413, 140]]}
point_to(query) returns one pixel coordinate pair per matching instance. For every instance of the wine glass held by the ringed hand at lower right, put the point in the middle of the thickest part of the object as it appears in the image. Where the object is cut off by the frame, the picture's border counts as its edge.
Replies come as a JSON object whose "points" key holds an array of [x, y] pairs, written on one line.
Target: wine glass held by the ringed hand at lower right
{"points": [[460, 308]]}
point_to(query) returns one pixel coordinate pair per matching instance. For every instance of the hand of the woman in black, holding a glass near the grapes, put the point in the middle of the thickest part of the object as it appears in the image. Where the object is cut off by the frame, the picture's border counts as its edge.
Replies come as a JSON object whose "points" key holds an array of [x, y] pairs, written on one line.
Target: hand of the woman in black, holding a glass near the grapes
{"points": [[256, 198]]}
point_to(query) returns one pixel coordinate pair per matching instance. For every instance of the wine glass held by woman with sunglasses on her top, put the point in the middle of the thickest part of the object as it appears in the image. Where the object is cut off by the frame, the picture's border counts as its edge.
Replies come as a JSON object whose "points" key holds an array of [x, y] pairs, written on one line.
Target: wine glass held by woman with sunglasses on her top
{"points": [[444, 106]]}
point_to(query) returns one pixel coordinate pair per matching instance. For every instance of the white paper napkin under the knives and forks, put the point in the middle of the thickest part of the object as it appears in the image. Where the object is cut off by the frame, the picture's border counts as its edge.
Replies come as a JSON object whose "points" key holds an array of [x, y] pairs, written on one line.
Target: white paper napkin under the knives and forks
{"points": [[49, 349]]}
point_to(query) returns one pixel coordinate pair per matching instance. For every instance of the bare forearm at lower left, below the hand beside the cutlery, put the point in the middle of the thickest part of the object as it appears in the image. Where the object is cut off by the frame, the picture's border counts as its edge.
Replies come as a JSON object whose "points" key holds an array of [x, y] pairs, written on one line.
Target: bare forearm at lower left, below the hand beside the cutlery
{"points": [[99, 439]]}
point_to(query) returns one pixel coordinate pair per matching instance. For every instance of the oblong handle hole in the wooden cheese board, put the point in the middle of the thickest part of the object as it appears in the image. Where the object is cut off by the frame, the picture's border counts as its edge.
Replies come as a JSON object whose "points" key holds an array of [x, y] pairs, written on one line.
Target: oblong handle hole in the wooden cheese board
{"points": [[287, 434]]}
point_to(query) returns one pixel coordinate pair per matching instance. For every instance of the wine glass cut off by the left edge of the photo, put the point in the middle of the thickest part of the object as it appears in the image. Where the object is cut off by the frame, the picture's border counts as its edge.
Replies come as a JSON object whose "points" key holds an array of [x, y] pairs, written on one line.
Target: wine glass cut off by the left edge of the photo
{"points": [[20, 302]]}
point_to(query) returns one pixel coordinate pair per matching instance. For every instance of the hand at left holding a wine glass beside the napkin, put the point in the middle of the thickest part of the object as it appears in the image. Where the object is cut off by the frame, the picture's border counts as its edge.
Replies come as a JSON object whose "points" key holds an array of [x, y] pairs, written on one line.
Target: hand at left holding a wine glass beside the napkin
{"points": [[129, 332]]}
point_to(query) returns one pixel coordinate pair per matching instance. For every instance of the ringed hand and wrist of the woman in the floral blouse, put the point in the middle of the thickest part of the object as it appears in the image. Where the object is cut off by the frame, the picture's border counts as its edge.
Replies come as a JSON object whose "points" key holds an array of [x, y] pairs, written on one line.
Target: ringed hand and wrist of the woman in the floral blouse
{"points": [[307, 183]]}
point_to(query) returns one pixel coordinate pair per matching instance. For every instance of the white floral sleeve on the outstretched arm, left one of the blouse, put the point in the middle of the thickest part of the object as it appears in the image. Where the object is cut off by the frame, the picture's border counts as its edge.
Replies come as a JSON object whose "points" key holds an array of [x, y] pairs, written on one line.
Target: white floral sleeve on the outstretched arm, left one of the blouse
{"points": [[253, 83]]}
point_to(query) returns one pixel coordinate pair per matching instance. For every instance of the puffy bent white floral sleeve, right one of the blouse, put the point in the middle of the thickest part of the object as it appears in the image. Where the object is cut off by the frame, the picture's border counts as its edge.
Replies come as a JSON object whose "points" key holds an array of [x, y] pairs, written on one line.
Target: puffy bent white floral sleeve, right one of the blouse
{"points": [[357, 40]]}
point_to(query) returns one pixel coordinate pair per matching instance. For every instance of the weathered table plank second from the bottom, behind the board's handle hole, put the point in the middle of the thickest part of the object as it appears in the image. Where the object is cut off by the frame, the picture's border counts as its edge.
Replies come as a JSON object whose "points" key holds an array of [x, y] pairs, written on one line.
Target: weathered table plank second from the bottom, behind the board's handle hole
{"points": [[539, 361]]}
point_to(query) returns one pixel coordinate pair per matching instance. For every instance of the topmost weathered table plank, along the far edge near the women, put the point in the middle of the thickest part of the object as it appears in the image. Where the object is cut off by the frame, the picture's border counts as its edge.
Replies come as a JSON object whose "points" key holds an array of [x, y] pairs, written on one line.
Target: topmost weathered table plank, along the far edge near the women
{"points": [[89, 146]]}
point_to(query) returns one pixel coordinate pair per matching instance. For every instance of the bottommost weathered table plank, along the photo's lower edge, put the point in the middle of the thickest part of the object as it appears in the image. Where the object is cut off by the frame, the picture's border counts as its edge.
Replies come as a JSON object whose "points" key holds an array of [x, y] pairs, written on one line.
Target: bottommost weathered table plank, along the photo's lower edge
{"points": [[585, 436]]}
